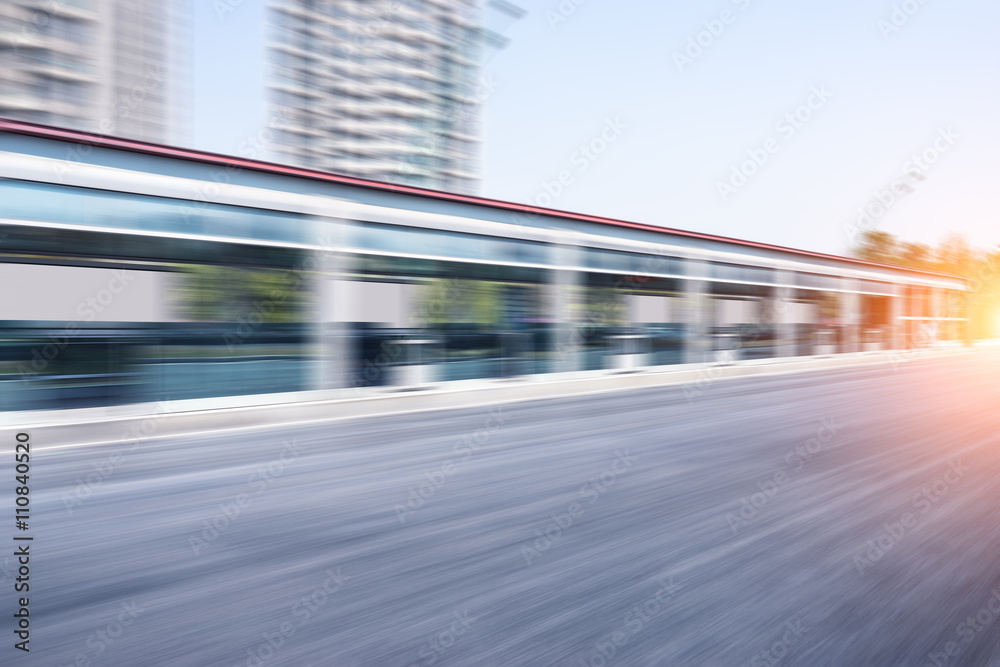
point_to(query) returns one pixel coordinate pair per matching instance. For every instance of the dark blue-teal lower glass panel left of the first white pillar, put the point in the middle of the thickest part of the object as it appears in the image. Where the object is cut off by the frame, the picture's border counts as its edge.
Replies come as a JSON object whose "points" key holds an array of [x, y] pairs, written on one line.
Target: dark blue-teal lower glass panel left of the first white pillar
{"points": [[98, 366]]}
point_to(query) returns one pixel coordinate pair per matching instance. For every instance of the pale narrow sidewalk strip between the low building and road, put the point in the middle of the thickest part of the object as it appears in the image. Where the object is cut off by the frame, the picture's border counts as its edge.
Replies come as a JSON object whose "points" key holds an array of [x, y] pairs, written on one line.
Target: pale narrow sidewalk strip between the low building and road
{"points": [[146, 421]]}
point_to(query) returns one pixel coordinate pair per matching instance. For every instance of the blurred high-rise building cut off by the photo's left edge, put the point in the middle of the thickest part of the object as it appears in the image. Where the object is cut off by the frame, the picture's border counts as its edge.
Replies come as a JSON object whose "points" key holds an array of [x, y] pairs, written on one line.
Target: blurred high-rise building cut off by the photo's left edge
{"points": [[108, 66]]}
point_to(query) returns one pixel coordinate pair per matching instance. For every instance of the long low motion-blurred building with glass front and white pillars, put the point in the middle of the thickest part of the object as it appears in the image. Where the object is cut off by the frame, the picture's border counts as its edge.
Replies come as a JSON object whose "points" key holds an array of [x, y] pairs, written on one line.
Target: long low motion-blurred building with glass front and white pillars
{"points": [[139, 278]]}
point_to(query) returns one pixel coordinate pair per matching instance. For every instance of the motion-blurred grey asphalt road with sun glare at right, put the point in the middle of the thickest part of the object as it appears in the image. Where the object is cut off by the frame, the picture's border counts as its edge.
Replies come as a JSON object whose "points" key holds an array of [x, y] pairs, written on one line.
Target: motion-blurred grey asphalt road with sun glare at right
{"points": [[847, 517]]}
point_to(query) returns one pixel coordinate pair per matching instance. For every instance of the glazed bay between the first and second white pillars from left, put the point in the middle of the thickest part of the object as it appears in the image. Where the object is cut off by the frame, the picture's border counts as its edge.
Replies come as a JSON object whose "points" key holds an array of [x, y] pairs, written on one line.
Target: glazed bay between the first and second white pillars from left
{"points": [[459, 321]]}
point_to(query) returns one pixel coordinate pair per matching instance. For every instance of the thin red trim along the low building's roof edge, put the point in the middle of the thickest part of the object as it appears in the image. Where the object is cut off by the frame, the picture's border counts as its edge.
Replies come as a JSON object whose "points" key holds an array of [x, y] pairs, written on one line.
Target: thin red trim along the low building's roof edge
{"points": [[103, 141]]}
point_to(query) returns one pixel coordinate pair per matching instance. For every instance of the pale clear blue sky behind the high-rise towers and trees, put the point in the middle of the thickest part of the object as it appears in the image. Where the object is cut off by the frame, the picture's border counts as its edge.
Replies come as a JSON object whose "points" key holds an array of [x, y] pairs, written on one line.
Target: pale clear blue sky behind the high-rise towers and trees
{"points": [[559, 83]]}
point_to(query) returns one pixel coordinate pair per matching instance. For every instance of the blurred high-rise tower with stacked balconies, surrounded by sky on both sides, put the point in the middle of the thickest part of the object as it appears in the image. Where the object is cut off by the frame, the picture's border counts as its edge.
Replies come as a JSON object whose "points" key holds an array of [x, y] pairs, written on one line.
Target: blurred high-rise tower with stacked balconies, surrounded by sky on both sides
{"points": [[383, 89]]}
